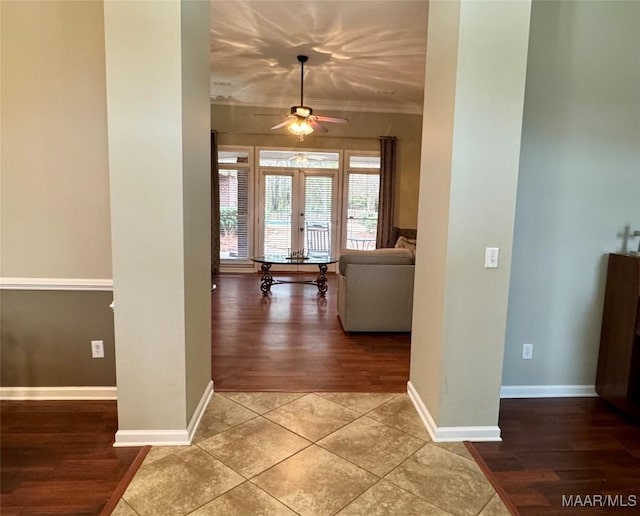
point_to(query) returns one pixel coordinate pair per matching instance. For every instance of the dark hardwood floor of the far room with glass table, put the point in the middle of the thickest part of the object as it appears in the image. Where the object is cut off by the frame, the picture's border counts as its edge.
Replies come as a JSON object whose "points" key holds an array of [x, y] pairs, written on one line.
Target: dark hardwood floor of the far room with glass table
{"points": [[292, 341]]}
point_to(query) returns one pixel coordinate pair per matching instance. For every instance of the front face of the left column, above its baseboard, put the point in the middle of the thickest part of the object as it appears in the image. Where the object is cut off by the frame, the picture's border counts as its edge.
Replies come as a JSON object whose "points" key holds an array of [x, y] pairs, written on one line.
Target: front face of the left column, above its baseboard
{"points": [[145, 155]]}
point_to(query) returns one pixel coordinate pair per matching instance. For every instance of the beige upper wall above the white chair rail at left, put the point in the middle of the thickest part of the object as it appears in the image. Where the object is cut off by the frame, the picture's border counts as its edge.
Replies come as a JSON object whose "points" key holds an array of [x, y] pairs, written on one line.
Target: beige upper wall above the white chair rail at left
{"points": [[54, 168]]}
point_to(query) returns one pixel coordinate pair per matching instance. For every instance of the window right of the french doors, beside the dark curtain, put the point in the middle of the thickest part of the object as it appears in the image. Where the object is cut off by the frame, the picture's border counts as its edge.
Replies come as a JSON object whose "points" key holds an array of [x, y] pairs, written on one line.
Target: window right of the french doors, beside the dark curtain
{"points": [[362, 187]]}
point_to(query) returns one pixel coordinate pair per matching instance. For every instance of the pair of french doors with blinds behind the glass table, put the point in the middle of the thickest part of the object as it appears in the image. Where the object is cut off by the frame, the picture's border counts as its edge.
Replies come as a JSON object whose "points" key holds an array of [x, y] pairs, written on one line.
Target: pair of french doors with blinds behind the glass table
{"points": [[298, 211]]}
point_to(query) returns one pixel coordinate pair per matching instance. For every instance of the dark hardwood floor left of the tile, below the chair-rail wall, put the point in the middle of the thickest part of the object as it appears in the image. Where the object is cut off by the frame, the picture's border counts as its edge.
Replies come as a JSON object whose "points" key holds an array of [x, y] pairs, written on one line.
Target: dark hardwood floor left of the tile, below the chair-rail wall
{"points": [[57, 457]]}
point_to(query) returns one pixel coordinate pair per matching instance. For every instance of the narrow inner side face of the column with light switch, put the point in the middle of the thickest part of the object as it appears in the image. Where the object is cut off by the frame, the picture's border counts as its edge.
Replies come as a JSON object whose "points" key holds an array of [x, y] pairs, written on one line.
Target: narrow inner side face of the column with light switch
{"points": [[435, 192]]}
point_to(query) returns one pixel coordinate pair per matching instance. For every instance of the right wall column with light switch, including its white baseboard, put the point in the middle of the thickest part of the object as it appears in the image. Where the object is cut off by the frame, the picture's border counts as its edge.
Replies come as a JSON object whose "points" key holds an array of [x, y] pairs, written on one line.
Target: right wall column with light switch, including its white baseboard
{"points": [[472, 121]]}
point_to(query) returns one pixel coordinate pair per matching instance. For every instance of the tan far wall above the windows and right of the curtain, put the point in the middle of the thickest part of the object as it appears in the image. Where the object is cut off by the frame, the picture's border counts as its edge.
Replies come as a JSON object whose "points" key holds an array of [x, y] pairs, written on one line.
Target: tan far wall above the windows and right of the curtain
{"points": [[238, 126]]}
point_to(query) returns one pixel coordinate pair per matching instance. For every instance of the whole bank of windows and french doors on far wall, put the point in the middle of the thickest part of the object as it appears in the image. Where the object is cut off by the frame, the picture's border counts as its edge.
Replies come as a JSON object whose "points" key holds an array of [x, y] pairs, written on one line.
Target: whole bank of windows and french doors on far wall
{"points": [[319, 201]]}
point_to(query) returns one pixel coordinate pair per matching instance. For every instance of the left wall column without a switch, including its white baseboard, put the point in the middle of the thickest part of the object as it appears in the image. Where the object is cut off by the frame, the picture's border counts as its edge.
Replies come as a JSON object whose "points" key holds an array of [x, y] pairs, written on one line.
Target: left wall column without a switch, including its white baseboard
{"points": [[157, 62]]}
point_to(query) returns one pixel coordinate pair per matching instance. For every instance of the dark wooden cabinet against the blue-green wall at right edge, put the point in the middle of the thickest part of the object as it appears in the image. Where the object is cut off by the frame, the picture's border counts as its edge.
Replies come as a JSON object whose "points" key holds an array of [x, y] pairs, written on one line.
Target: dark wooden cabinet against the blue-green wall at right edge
{"points": [[618, 378]]}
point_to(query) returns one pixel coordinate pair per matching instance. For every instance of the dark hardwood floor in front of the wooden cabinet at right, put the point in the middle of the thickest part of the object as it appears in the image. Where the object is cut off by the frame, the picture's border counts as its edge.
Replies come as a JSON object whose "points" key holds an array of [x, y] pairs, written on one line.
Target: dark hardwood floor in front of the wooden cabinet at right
{"points": [[565, 446]]}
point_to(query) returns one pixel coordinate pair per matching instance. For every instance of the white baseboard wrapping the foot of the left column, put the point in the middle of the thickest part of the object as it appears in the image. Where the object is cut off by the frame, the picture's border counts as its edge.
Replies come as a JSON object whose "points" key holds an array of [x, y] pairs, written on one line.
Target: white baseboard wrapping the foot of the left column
{"points": [[176, 437]]}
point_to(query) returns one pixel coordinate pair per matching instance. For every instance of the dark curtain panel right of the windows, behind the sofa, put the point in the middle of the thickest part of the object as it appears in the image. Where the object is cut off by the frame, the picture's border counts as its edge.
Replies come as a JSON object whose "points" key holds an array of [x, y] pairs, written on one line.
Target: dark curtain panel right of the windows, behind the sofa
{"points": [[387, 191]]}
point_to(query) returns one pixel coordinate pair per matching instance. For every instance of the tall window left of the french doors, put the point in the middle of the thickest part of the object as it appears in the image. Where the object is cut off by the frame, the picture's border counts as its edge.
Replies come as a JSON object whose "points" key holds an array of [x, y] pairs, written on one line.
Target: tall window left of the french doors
{"points": [[235, 208]]}
